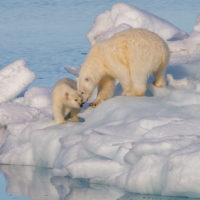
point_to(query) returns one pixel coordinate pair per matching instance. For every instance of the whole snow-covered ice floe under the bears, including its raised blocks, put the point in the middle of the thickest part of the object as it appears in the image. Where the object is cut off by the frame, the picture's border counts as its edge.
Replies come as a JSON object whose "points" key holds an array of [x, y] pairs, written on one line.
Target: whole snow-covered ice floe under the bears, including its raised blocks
{"points": [[147, 145]]}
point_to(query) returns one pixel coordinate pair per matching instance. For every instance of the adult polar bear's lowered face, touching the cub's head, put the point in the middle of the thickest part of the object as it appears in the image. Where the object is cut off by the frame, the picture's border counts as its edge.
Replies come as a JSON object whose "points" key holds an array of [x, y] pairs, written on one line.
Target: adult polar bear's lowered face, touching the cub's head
{"points": [[85, 87]]}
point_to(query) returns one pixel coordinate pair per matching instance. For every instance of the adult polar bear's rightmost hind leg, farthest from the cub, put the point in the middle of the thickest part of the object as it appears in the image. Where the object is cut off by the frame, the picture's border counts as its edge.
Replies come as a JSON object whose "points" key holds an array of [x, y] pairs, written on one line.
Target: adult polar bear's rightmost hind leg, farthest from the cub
{"points": [[159, 76]]}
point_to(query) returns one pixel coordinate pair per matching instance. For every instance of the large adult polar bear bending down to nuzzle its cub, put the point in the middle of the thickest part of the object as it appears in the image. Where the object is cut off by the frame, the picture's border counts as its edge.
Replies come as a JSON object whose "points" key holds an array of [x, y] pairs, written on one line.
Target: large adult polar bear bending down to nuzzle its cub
{"points": [[130, 56]]}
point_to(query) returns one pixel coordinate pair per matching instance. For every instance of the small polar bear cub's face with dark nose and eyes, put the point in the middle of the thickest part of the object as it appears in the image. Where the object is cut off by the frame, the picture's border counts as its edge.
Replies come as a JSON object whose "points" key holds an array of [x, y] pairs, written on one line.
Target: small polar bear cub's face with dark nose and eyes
{"points": [[73, 100]]}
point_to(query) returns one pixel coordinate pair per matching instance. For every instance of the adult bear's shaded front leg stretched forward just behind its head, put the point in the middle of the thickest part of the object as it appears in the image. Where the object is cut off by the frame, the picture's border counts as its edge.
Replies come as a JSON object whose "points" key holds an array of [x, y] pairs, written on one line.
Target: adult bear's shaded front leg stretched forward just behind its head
{"points": [[105, 90]]}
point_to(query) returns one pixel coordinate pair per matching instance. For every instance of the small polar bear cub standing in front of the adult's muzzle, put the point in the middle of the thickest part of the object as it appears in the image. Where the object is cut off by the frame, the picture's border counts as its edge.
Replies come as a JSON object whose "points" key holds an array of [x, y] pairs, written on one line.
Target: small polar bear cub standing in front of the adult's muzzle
{"points": [[66, 101]]}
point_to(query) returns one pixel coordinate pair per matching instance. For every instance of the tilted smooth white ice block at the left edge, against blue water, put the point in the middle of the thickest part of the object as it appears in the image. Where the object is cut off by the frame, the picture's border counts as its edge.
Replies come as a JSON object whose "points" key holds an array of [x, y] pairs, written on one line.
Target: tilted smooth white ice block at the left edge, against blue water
{"points": [[17, 75]]}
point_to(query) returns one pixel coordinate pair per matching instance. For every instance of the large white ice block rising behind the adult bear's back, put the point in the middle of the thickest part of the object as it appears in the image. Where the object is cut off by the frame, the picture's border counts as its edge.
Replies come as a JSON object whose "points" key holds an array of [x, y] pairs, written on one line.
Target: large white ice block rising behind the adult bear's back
{"points": [[131, 16]]}
